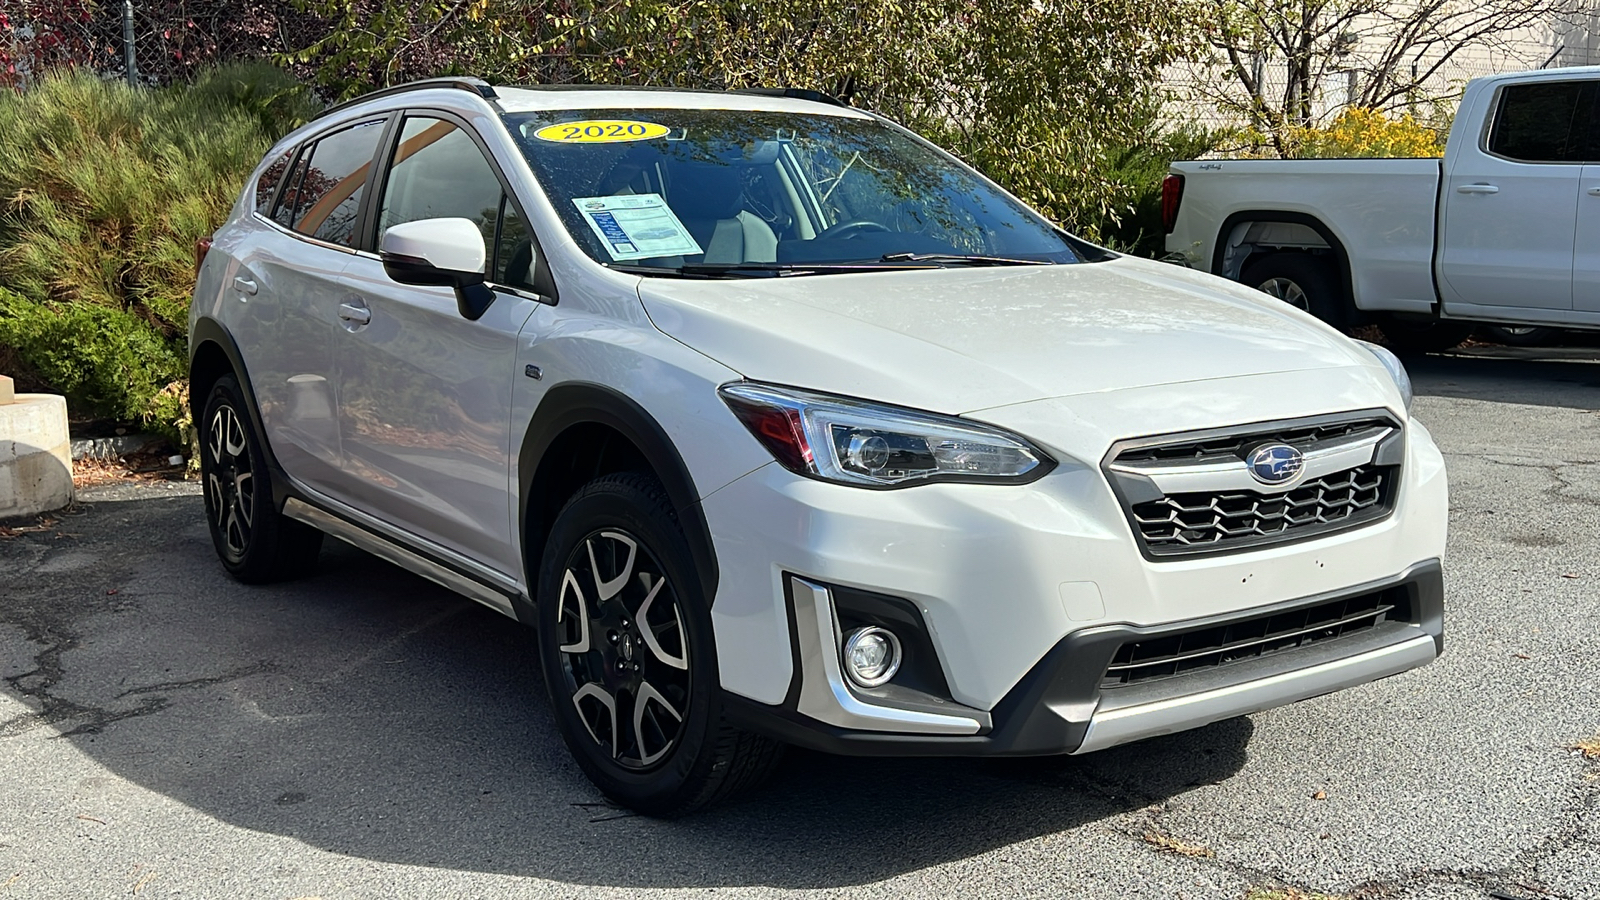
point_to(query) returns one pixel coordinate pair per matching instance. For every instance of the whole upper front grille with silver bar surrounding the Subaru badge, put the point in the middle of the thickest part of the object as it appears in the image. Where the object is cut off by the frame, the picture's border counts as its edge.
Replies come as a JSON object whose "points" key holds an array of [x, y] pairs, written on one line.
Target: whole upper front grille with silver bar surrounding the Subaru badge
{"points": [[1210, 504]]}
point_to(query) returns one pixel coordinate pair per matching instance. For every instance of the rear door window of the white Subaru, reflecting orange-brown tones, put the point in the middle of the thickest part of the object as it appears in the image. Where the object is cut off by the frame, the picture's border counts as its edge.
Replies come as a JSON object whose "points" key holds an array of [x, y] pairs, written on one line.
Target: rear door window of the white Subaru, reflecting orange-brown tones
{"points": [[332, 174]]}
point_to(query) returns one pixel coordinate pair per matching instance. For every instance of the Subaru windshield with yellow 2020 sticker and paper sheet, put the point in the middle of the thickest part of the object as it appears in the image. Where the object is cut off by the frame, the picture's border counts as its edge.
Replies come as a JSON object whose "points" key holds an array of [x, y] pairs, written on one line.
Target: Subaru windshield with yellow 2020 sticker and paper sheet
{"points": [[705, 191]]}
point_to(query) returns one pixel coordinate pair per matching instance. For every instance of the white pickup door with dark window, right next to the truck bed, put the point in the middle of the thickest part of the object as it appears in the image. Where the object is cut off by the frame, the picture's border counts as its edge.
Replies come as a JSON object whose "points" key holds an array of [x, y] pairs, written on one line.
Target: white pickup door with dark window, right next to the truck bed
{"points": [[1511, 204]]}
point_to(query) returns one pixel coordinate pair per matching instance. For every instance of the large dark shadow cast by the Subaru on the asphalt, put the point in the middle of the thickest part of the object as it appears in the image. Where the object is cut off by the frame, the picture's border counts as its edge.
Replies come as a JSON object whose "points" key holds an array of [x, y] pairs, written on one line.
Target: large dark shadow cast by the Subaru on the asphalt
{"points": [[369, 713]]}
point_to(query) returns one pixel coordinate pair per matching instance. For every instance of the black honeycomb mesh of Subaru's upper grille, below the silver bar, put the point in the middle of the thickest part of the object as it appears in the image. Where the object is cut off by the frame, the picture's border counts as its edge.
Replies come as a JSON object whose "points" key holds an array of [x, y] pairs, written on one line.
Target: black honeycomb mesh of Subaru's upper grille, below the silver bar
{"points": [[1196, 521]]}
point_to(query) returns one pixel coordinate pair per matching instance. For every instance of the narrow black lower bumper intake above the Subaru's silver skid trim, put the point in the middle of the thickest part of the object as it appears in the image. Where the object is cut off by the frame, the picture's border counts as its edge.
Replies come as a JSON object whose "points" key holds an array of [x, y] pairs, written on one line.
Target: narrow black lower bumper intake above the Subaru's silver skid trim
{"points": [[1166, 656]]}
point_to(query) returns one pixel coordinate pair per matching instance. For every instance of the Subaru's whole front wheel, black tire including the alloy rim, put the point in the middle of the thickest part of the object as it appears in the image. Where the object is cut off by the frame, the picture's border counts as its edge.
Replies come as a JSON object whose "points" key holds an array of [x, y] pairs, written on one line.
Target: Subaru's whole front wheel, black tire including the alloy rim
{"points": [[644, 720]]}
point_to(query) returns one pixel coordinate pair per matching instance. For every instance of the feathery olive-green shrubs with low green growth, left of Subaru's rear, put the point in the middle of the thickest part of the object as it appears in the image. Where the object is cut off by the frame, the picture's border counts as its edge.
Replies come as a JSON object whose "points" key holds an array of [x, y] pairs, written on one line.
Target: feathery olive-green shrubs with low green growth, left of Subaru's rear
{"points": [[103, 193]]}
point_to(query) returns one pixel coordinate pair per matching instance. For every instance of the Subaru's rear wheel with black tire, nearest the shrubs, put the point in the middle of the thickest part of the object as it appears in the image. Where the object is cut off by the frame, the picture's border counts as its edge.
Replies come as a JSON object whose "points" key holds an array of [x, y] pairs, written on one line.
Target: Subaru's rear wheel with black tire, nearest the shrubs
{"points": [[255, 542]]}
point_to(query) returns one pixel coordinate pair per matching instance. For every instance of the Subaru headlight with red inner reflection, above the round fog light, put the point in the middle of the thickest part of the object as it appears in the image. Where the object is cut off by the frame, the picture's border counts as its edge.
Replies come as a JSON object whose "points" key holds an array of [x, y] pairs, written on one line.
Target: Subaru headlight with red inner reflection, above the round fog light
{"points": [[871, 446]]}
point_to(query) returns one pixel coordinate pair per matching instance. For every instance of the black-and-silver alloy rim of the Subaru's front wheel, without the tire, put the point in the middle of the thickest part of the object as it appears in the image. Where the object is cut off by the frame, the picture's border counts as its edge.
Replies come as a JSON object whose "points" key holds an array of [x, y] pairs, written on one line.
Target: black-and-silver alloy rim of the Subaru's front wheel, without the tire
{"points": [[623, 649]]}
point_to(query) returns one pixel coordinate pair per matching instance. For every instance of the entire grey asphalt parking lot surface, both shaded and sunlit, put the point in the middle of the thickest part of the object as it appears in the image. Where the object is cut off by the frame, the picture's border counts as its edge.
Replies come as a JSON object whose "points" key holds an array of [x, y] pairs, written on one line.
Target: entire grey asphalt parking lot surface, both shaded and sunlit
{"points": [[167, 733]]}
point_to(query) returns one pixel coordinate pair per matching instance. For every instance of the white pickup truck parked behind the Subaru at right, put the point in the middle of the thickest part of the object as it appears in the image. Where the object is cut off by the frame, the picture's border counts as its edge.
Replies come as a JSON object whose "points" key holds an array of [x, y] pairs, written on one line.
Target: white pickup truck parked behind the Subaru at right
{"points": [[1503, 231]]}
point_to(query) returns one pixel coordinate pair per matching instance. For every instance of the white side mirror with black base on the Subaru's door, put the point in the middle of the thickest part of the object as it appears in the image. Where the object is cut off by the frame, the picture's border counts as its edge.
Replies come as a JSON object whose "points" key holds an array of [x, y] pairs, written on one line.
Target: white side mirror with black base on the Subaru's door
{"points": [[441, 254]]}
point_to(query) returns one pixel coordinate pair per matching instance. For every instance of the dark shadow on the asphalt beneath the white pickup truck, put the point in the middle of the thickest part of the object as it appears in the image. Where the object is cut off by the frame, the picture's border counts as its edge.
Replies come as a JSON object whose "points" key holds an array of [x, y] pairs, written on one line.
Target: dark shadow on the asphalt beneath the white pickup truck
{"points": [[1545, 377]]}
